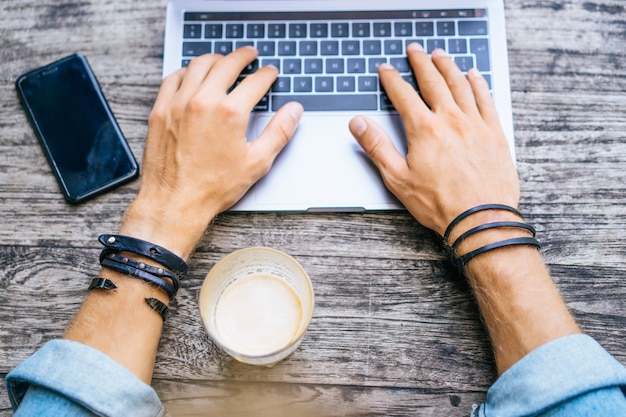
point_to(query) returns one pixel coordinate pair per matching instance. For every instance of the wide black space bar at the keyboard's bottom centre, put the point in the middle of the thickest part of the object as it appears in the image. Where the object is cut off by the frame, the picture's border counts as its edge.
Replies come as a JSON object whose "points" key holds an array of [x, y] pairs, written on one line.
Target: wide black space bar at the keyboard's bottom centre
{"points": [[328, 102]]}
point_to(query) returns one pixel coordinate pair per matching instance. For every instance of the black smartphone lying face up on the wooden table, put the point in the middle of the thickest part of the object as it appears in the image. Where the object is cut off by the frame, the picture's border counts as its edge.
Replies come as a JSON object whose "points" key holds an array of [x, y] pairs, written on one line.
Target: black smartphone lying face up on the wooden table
{"points": [[79, 135]]}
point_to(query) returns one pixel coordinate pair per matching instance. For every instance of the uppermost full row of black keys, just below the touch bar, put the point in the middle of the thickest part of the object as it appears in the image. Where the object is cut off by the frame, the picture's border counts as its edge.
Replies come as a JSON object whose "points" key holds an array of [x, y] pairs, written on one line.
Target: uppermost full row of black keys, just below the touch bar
{"points": [[334, 30]]}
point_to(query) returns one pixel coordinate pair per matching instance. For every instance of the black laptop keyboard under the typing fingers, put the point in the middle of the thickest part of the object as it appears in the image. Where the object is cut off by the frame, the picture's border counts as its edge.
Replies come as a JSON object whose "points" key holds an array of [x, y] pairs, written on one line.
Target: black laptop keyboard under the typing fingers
{"points": [[328, 60]]}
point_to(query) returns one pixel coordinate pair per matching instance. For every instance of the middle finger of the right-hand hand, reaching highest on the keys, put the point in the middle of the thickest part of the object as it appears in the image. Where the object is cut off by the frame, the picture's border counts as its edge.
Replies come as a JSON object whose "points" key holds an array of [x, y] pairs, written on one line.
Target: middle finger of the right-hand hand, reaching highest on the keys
{"points": [[431, 83]]}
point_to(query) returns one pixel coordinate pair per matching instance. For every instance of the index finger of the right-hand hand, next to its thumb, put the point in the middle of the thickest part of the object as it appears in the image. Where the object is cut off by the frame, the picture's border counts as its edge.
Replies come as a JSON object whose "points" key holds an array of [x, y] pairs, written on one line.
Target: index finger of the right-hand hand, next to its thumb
{"points": [[405, 99]]}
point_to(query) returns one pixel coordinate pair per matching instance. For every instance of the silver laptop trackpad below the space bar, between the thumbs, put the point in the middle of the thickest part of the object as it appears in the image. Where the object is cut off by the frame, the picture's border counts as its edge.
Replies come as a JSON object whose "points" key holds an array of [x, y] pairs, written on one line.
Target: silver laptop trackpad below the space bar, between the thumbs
{"points": [[323, 167]]}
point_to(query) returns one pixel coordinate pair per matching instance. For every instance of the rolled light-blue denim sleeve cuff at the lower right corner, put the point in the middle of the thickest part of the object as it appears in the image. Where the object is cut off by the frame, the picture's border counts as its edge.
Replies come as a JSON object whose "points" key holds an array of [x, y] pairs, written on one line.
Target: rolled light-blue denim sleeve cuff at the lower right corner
{"points": [[566, 377]]}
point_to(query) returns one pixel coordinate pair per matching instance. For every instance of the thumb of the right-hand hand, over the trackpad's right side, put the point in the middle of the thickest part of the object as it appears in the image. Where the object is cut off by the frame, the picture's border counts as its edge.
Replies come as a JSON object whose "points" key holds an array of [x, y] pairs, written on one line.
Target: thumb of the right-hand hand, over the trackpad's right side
{"points": [[379, 147]]}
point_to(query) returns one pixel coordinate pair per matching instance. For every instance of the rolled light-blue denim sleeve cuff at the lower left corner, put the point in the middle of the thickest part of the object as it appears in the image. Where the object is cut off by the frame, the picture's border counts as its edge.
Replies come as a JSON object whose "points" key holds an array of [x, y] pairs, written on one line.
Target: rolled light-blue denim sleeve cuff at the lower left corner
{"points": [[78, 375]]}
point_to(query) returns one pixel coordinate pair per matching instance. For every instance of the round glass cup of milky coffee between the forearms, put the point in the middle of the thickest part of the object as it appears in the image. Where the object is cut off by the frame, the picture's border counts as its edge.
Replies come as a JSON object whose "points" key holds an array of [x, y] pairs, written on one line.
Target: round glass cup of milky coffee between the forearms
{"points": [[256, 304]]}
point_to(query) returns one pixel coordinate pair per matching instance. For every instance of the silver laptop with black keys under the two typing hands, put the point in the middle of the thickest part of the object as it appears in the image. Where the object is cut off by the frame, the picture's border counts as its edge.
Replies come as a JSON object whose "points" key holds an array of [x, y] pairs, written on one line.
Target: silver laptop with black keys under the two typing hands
{"points": [[327, 52]]}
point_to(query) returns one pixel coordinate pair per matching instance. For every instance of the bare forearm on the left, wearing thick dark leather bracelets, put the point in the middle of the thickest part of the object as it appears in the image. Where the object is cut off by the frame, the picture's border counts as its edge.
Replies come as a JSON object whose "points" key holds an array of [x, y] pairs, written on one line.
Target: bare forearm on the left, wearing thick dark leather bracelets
{"points": [[120, 323]]}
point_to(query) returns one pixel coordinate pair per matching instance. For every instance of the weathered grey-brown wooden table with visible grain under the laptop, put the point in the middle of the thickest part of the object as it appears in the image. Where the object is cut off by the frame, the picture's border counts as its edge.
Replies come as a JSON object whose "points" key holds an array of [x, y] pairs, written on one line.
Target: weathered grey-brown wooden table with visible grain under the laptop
{"points": [[395, 331]]}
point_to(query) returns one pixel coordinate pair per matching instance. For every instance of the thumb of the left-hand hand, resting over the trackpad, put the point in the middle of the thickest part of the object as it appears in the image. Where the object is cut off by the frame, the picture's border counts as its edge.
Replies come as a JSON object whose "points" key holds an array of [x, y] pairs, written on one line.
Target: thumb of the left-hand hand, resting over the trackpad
{"points": [[274, 137]]}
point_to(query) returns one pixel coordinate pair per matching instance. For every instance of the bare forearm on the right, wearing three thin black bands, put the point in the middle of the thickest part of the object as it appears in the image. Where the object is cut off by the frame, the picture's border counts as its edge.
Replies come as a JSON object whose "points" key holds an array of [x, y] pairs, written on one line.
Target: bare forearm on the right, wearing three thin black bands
{"points": [[521, 307]]}
